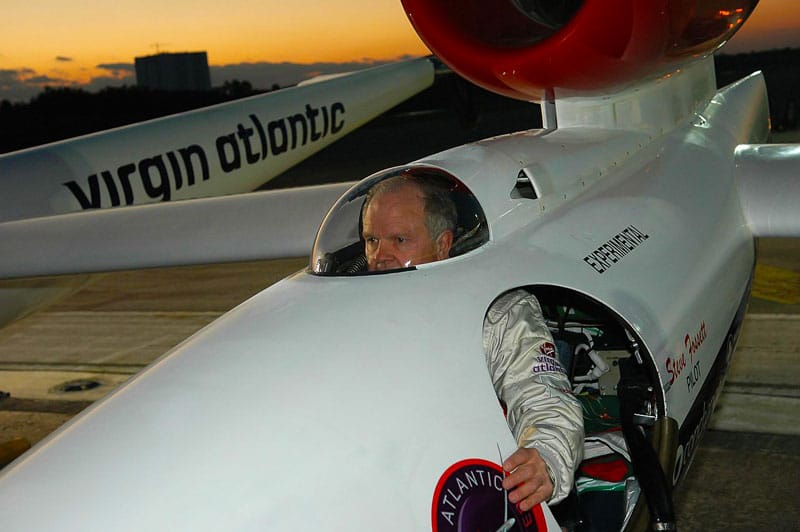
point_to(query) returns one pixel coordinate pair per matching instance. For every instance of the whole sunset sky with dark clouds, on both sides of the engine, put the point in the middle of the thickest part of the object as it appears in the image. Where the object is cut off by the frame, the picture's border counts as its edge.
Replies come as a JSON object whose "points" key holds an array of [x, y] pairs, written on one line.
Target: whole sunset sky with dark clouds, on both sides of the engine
{"points": [[92, 43]]}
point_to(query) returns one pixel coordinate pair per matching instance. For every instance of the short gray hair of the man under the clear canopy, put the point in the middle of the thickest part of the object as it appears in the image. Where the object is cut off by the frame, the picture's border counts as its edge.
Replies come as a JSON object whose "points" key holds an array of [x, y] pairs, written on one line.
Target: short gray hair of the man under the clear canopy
{"points": [[440, 210]]}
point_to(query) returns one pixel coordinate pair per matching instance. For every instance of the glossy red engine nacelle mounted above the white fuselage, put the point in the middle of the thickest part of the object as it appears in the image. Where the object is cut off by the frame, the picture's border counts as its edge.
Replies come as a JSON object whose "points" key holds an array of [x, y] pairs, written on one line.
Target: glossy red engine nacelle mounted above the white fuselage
{"points": [[534, 49]]}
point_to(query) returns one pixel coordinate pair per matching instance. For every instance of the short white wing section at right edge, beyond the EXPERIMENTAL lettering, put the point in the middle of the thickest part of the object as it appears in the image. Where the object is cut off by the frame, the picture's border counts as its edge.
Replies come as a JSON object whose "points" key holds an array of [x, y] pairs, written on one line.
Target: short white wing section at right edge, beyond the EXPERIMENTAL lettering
{"points": [[769, 188]]}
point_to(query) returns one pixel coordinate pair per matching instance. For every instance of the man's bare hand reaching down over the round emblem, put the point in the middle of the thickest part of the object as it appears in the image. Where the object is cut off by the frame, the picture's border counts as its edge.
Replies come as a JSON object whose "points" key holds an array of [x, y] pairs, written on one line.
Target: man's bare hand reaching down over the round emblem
{"points": [[528, 482]]}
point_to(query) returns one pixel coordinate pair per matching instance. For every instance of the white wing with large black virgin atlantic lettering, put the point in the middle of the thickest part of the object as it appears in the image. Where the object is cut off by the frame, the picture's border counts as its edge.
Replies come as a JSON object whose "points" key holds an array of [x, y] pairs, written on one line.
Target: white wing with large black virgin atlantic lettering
{"points": [[224, 149]]}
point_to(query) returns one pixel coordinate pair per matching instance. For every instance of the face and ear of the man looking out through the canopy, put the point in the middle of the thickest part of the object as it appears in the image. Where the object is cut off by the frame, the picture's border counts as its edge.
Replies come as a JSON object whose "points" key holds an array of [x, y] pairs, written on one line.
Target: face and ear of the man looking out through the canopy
{"points": [[395, 232]]}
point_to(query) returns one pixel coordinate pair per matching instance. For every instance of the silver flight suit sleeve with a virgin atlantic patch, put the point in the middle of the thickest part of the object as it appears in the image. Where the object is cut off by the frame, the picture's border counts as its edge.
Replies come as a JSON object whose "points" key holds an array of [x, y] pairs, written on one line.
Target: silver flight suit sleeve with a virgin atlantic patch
{"points": [[541, 410]]}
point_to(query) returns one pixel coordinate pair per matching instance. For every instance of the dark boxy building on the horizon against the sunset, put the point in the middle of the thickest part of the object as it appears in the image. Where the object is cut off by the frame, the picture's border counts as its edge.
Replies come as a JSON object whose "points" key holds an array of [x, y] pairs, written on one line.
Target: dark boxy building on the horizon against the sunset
{"points": [[186, 71]]}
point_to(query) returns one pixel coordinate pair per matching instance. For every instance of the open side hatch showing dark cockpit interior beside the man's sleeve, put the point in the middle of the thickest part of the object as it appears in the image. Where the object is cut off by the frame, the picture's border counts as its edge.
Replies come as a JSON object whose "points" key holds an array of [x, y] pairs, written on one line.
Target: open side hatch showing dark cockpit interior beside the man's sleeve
{"points": [[630, 442]]}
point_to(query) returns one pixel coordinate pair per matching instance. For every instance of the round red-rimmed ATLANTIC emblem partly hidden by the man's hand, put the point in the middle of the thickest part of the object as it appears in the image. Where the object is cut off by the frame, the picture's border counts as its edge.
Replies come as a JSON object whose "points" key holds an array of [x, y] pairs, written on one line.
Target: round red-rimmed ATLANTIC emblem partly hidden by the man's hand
{"points": [[469, 497]]}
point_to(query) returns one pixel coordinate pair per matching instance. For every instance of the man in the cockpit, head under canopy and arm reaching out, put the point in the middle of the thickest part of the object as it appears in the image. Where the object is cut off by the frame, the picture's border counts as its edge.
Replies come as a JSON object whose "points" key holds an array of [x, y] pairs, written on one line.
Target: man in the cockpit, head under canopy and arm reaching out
{"points": [[408, 221]]}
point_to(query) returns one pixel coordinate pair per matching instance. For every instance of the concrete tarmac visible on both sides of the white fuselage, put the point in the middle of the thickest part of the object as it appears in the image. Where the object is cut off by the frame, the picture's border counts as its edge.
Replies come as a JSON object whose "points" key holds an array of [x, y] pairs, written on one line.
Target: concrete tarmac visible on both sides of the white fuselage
{"points": [[745, 476]]}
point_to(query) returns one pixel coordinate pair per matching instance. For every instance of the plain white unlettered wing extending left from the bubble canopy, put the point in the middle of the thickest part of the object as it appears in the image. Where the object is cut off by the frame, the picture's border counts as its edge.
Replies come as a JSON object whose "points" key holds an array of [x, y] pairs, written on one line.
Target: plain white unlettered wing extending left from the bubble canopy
{"points": [[258, 225]]}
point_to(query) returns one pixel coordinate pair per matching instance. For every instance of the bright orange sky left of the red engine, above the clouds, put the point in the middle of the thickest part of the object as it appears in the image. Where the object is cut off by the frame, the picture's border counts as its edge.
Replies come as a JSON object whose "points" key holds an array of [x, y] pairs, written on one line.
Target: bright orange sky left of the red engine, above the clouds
{"points": [[67, 39]]}
